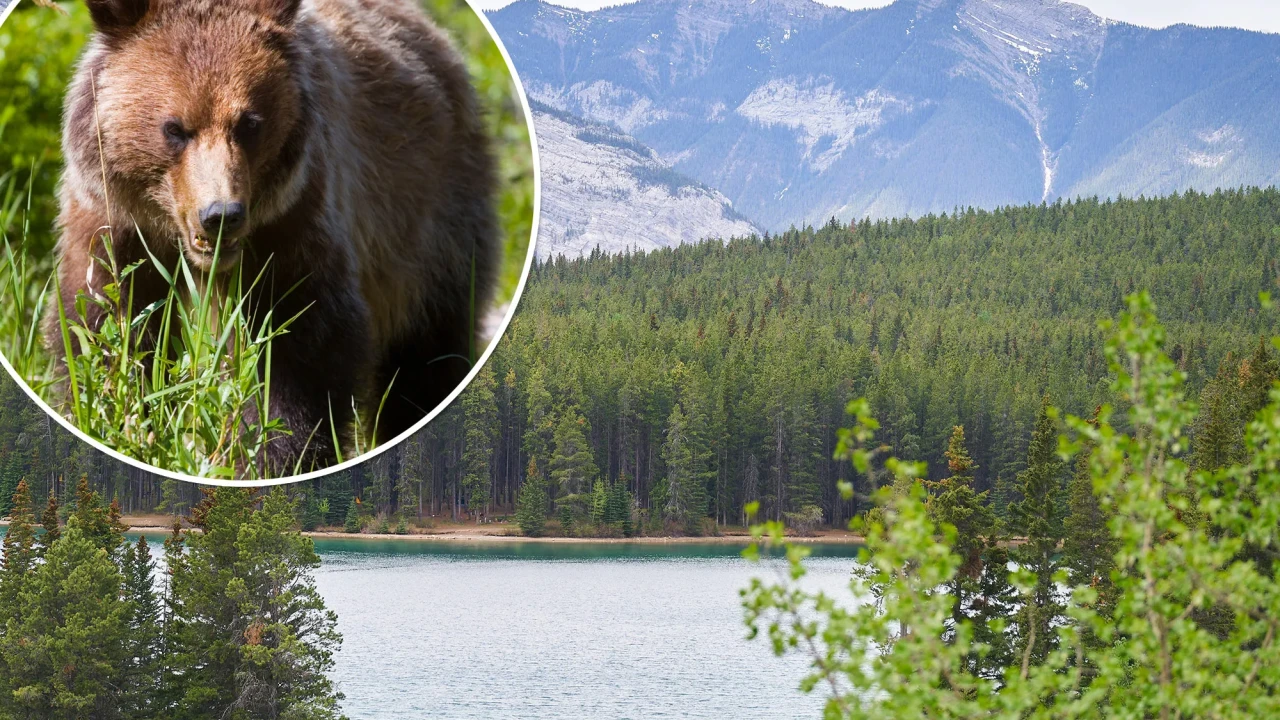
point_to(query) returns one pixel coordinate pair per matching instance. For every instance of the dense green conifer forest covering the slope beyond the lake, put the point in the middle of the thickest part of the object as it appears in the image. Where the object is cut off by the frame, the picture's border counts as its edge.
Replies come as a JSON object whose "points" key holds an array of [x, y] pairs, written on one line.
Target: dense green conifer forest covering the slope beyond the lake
{"points": [[716, 375]]}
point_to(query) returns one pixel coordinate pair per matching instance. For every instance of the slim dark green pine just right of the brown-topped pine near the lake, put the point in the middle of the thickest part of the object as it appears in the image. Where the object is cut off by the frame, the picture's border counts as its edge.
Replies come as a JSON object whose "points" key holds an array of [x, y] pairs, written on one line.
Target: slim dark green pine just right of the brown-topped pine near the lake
{"points": [[1037, 517]]}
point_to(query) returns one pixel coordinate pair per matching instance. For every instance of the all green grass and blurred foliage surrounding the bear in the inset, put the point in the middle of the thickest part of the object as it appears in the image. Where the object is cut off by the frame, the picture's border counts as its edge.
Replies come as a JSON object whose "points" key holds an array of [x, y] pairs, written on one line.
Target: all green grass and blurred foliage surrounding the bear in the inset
{"points": [[171, 384]]}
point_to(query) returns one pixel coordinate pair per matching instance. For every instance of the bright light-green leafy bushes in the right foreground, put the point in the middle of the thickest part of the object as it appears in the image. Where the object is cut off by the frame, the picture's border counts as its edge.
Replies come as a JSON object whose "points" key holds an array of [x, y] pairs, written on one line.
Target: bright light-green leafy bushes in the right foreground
{"points": [[1167, 608]]}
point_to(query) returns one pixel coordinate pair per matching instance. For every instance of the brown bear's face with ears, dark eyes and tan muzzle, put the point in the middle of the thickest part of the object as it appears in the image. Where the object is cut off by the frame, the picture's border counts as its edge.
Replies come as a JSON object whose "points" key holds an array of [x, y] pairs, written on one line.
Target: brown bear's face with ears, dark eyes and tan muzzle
{"points": [[196, 101]]}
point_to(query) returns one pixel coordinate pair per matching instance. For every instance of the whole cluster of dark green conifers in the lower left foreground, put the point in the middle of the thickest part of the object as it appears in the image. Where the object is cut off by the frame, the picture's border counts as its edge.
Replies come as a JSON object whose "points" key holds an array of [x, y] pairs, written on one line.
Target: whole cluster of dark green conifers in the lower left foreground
{"points": [[232, 628]]}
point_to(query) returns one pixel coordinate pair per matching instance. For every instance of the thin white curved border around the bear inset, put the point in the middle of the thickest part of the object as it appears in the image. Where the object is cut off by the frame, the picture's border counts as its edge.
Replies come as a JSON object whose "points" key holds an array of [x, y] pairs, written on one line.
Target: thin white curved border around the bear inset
{"points": [[419, 426]]}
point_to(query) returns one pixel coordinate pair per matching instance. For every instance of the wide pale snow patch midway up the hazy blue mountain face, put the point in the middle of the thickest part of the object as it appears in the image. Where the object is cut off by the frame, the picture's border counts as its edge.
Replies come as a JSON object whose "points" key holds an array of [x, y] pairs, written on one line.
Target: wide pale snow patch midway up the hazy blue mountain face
{"points": [[821, 112]]}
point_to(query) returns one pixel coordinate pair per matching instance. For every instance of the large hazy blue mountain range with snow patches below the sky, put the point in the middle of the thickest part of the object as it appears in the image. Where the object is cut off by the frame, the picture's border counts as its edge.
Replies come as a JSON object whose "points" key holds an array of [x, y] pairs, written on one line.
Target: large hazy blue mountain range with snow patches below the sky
{"points": [[798, 112]]}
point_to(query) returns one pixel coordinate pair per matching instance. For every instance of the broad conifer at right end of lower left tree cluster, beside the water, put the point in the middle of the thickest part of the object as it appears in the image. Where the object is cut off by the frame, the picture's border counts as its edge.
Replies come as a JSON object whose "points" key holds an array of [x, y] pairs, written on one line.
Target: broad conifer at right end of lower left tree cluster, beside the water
{"points": [[252, 636]]}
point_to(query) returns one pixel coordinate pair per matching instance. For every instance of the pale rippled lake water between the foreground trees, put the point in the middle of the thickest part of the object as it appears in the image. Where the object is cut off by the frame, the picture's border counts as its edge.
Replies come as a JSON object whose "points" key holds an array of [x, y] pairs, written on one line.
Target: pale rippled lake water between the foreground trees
{"points": [[557, 631]]}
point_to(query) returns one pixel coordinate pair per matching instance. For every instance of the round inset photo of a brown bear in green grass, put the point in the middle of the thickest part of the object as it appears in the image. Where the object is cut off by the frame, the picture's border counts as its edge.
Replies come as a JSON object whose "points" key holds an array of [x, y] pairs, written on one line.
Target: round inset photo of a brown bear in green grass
{"points": [[257, 240]]}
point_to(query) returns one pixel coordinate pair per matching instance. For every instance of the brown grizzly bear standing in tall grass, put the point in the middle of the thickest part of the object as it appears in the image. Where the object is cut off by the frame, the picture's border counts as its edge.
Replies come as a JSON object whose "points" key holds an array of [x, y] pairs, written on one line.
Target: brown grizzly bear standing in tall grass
{"points": [[335, 147]]}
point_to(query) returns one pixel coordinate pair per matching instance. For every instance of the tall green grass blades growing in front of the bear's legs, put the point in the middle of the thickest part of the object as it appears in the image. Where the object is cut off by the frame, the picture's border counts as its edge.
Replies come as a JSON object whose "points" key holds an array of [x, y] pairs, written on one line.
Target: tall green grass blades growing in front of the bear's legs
{"points": [[175, 384]]}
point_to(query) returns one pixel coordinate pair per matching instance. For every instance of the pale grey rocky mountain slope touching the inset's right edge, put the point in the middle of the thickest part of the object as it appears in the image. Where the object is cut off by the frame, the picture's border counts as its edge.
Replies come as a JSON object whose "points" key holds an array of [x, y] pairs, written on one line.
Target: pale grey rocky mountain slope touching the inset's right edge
{"points": [[604, 189]]}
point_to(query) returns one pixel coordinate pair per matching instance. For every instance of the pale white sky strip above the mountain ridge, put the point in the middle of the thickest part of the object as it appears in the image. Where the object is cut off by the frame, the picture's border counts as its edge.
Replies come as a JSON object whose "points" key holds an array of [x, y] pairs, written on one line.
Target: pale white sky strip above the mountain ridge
{"points": [[1251, 15]]}
